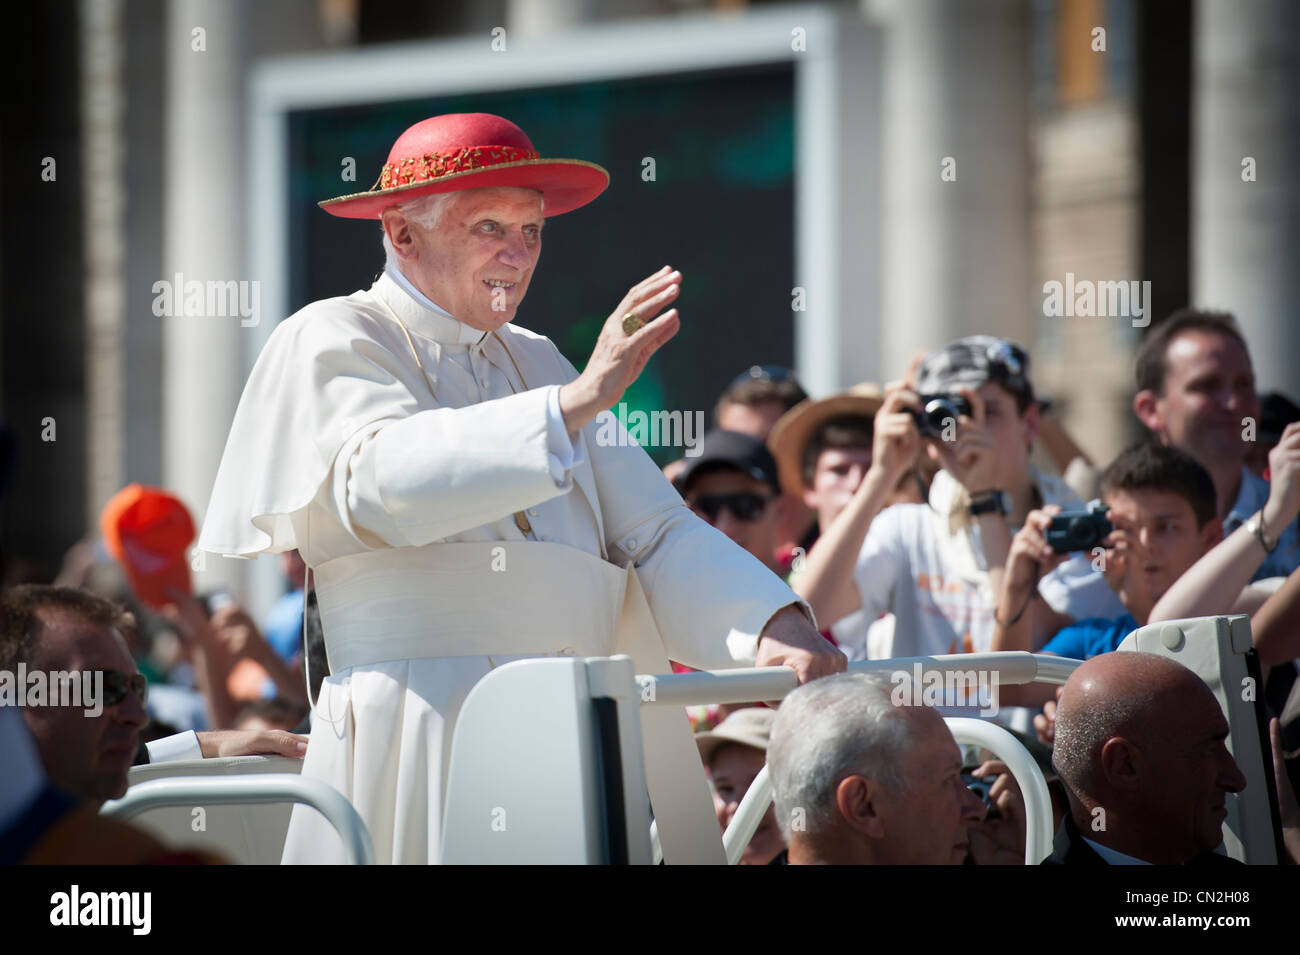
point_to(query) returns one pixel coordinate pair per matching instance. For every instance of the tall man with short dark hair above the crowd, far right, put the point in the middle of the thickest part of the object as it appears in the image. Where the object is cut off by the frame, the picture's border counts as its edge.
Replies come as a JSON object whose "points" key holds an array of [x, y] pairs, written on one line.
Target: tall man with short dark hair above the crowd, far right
{"points": [[1197, 393]]}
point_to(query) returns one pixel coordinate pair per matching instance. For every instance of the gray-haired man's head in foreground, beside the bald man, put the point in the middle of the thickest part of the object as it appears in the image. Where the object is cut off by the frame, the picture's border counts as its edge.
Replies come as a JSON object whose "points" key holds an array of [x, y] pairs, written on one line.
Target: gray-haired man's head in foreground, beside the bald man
{"points": [[860, 782]]}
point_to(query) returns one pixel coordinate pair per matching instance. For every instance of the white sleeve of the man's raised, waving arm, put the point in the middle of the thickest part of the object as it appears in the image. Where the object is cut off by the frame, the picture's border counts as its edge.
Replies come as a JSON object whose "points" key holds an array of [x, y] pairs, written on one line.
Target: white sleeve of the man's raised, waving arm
{"points": [[444, 471]]}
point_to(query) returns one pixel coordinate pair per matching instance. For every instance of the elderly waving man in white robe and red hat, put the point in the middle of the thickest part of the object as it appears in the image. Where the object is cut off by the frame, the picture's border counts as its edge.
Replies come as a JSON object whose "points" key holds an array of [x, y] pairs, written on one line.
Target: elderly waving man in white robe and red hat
{"points": [[439, 470]]}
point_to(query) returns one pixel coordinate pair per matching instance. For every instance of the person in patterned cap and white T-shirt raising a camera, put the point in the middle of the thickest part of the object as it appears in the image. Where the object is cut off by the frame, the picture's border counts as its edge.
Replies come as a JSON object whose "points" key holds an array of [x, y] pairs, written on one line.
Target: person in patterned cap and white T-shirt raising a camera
{"points": [[939, 567]]}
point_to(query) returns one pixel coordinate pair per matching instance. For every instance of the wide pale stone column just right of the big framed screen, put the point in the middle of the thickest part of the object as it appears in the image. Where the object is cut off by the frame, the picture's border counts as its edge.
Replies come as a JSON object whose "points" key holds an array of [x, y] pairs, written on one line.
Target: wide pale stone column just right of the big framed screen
{"points": [[957, 254]]}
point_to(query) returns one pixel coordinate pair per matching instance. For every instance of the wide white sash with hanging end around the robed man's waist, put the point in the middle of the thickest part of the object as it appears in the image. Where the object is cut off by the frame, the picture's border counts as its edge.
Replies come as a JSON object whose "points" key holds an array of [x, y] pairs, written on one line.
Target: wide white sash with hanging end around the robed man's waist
{"points": [[521, 597]]}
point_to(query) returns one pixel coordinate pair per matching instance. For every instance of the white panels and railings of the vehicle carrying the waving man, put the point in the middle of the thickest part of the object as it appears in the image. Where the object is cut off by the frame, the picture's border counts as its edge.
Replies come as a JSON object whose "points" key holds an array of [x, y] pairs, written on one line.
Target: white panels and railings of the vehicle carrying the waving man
{"points": [[549, 759]]}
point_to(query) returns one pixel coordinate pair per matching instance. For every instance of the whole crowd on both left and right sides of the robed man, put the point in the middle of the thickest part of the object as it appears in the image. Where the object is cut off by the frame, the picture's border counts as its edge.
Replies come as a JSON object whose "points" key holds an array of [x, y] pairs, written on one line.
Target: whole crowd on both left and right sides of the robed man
{"points": [[908, 536]]}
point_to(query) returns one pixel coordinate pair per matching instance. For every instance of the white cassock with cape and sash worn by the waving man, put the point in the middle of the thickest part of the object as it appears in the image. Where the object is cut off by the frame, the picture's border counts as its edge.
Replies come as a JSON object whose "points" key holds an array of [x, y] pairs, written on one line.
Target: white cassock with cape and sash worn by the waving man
{"points": [[401, 489]]}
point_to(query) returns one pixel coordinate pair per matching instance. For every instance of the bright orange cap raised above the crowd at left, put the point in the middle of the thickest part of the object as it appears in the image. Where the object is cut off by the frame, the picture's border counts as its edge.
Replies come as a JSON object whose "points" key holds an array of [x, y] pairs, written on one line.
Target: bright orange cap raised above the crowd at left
{"points": [[148, 531]]}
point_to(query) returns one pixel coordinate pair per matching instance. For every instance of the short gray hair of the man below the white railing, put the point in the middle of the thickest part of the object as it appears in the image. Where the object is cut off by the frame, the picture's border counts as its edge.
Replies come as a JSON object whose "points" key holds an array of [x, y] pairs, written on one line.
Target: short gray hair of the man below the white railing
{"points": [[826, 731]]}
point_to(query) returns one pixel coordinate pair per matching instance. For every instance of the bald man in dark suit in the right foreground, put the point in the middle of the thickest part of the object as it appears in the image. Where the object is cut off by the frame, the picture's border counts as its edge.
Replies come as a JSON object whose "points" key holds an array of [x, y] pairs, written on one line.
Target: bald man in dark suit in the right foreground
{"points": [[1141, 749]]}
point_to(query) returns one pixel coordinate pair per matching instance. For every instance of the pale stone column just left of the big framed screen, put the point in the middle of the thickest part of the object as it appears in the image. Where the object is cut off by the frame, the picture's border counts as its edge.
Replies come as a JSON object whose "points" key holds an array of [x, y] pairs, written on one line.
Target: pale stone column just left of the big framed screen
{"points": [[211, 50]]}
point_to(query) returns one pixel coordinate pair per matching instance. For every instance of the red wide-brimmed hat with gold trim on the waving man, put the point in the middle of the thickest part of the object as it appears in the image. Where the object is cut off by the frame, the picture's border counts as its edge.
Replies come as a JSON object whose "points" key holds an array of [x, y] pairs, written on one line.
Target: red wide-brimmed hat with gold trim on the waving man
{"points": [[445, 154]]}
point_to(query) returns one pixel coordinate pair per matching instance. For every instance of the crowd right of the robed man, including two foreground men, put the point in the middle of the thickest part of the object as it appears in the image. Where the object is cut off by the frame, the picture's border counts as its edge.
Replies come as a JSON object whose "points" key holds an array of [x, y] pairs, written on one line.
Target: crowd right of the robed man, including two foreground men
{"points": [[908, 541]]}
